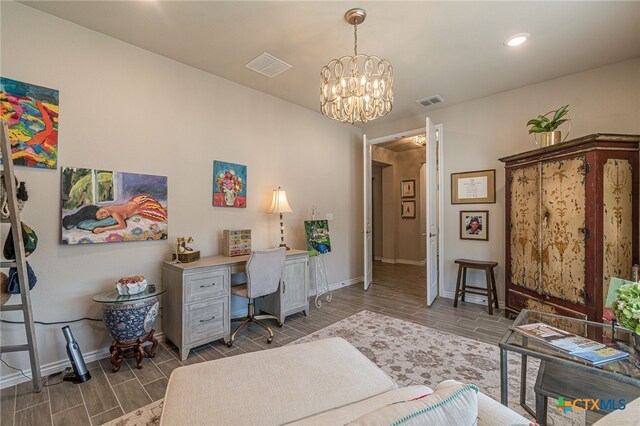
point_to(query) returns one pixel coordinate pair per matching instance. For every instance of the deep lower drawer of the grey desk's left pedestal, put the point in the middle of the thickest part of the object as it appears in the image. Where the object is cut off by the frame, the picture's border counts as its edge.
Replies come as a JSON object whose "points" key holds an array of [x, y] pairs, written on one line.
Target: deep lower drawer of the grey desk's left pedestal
{"points": [[205, 320]]}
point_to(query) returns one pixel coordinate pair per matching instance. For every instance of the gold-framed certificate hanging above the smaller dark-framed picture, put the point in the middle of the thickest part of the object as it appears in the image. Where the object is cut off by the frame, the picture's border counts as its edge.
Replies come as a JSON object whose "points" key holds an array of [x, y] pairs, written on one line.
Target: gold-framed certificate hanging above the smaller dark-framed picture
{"points": [[476, 187]]}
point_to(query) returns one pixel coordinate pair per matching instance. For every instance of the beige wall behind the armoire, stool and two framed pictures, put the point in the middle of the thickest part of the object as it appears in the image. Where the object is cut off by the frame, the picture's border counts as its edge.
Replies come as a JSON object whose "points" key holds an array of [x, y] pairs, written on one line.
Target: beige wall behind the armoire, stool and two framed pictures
{"points": [[477, 133]]}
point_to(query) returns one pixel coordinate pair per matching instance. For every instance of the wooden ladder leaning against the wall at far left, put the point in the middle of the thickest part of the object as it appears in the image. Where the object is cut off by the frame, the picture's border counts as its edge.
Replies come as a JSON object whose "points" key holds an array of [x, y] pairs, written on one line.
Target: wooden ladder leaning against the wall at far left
{"points": [[20, 264]]}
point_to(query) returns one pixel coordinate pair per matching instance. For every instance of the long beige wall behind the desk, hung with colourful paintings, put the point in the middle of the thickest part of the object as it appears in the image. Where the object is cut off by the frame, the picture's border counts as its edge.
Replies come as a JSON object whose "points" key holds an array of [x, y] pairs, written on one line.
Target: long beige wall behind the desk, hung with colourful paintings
{"points": [[123, 108]]}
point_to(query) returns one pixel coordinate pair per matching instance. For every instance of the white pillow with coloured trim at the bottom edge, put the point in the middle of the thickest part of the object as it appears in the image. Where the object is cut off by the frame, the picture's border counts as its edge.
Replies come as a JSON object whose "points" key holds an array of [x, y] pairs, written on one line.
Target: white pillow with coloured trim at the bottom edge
{"points": [[452, 403]]}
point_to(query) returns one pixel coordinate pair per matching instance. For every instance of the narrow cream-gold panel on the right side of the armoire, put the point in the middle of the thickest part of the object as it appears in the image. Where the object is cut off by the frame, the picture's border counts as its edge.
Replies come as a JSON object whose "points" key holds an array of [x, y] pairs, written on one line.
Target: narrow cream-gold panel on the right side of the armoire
{"points": [[617, 232]]}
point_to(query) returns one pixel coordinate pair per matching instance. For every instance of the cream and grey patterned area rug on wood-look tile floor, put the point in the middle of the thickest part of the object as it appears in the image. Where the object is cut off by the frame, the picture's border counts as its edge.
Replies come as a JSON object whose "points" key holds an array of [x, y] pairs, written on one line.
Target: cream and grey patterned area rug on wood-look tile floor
{"points": [[414, 354]]}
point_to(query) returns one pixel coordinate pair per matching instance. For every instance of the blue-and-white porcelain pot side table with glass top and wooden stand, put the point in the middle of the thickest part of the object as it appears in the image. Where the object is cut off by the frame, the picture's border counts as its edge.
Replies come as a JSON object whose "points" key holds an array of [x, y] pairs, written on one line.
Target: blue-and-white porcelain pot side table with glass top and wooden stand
{"points": [[130, 321]]}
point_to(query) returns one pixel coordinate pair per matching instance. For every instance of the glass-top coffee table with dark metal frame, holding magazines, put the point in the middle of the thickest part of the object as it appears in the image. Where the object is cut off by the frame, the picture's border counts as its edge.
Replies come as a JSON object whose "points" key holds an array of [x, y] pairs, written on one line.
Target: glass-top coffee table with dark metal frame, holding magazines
{"points": [[625, 372]]}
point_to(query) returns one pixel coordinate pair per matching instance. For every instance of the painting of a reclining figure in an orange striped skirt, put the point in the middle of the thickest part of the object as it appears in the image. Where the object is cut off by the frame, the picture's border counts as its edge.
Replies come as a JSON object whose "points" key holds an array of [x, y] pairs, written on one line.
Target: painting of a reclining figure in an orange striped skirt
{"points": [[103, 206]]}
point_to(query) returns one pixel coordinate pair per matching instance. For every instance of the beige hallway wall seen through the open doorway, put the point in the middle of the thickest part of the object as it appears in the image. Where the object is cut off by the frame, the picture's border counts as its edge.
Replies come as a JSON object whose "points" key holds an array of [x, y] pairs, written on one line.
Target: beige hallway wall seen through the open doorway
{"points": [[402, 240]]}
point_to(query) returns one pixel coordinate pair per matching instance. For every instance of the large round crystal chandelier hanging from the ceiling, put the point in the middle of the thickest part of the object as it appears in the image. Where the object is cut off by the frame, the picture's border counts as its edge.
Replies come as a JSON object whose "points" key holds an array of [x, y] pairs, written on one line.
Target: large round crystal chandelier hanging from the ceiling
{"points": [[359, 87]]}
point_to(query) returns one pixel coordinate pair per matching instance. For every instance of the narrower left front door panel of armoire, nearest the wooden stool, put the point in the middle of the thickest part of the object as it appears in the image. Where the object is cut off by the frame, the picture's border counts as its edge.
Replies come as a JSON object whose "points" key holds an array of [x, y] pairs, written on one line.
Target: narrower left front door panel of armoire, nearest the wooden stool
{"points": [[525, 271]]}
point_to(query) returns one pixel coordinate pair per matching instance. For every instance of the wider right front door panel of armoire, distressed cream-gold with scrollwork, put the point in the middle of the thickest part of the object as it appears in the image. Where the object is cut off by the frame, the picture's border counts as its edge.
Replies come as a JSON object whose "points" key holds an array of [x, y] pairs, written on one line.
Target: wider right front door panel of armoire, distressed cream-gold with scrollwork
{"points": [[563, 233]]}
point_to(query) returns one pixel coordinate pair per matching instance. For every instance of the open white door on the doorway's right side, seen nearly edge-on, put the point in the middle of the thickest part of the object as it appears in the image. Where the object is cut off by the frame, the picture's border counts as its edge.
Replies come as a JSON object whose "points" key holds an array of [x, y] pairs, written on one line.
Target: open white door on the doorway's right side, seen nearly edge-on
{"points": [[431, 226]]}
